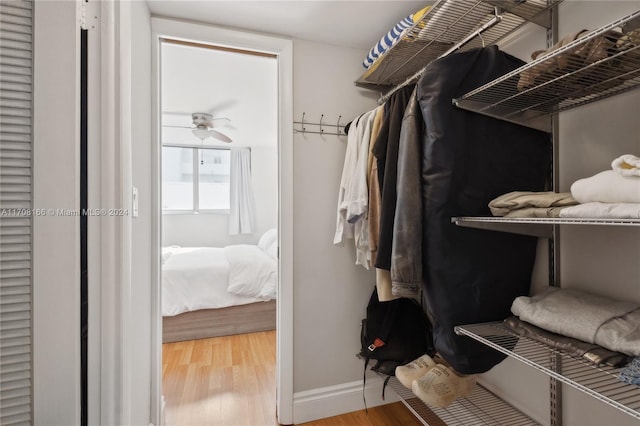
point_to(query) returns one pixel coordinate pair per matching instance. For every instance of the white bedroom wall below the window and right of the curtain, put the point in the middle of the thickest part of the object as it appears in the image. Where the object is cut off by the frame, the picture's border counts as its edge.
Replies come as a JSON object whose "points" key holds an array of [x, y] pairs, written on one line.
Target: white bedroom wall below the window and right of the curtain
{"points": [[212, 230]]}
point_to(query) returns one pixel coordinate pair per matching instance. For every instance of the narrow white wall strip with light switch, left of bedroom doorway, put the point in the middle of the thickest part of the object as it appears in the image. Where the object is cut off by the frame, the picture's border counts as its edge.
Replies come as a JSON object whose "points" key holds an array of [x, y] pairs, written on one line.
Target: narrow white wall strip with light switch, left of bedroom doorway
{"points": [[141, 346]]}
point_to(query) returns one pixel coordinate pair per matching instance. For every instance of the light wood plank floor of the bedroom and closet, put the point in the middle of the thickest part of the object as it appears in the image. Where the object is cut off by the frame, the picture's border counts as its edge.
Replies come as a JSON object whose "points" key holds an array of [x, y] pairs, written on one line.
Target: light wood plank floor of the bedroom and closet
{"points": [[230, 381]]}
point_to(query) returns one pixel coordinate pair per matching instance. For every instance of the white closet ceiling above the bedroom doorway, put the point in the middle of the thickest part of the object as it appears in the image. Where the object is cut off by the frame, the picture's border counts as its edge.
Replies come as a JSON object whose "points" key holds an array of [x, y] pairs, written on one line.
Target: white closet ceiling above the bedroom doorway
{"points": [[357, 24]]}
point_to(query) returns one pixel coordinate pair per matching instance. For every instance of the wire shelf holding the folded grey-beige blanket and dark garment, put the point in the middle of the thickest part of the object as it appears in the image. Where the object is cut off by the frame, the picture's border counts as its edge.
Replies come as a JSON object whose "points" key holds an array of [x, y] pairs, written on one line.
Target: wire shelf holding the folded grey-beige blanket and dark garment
{"points": [[599, 382]]}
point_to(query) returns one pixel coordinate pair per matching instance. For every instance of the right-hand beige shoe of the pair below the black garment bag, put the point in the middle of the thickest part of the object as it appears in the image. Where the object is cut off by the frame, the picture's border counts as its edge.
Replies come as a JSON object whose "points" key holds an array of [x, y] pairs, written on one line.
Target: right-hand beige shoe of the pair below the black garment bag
{"points": [[438, 387]]}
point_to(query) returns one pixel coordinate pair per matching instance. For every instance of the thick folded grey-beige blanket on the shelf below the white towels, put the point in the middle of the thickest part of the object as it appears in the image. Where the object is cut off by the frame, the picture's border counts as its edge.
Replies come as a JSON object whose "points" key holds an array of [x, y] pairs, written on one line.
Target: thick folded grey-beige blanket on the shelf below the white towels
{"points": [[570, 312]]}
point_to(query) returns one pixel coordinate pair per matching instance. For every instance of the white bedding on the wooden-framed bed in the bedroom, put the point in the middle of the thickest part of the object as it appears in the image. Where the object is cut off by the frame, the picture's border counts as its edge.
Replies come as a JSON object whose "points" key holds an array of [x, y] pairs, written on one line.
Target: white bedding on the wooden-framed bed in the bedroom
{"points": [[209, 277]]}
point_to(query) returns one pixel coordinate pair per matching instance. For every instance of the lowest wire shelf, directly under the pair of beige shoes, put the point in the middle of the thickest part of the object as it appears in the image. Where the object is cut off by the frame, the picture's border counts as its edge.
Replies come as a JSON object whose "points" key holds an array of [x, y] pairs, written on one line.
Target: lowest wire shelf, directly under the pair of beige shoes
{"points": [[480, 408]]}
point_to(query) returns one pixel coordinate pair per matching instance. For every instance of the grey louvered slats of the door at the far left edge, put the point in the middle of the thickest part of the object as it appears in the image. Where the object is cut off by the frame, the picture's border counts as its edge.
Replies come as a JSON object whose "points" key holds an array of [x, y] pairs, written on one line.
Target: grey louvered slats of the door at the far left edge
{"points": [[16, 65]]}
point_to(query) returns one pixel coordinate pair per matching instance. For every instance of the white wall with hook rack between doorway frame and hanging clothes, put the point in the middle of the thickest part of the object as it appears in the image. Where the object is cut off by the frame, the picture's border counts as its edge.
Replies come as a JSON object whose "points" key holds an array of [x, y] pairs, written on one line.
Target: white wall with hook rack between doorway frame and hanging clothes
{"points": [[330, 291]]}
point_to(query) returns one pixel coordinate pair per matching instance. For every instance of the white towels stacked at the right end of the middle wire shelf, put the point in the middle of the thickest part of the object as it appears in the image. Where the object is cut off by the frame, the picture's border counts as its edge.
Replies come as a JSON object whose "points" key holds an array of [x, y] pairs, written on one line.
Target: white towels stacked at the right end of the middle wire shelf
{"points": [[612, 193]]}
